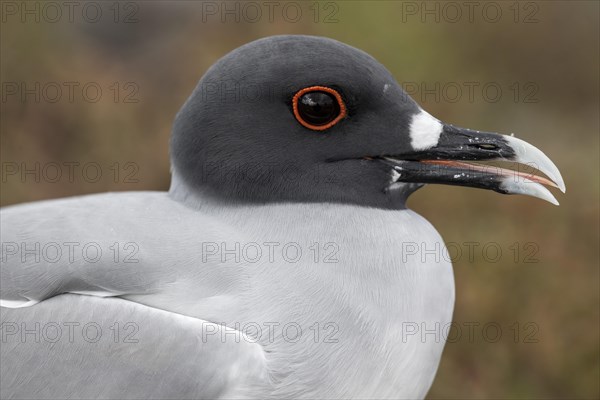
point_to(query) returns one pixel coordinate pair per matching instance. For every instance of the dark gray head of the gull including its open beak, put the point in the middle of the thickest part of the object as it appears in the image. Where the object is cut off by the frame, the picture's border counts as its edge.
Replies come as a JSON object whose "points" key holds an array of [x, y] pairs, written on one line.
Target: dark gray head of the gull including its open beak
{"points": [[252, 132]]}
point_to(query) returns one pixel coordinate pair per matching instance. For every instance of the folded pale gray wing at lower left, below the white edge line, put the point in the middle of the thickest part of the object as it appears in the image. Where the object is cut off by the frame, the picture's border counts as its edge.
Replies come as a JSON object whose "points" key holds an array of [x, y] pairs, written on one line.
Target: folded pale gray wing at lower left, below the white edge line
{"points": [[74, 346]]}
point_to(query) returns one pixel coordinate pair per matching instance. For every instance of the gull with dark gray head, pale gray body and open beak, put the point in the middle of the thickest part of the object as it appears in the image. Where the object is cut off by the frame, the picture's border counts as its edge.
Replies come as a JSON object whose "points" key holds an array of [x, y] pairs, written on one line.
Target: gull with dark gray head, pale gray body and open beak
{"points": [[276, 265]]}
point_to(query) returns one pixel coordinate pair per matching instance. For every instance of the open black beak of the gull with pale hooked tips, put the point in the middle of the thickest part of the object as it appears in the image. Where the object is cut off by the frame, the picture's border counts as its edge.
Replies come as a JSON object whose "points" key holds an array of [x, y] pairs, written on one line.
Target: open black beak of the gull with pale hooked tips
{"points": [[449, 162]]}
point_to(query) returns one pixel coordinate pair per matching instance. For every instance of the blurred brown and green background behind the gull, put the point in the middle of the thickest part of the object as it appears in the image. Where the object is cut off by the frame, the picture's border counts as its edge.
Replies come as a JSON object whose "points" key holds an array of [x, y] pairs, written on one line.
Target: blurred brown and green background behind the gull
{"points": [[541, 292]]}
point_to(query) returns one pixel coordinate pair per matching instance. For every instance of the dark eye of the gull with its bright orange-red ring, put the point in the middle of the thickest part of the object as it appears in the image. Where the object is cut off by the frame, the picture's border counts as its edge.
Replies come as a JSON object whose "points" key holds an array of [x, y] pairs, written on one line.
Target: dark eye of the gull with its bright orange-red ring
{"points": [[318, 107]]}
